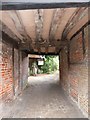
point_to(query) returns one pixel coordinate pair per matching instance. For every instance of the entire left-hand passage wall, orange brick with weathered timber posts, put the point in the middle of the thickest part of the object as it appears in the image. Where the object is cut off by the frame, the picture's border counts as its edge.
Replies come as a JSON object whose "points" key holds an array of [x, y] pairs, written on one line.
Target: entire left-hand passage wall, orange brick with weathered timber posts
{"points": [[12, 64]]}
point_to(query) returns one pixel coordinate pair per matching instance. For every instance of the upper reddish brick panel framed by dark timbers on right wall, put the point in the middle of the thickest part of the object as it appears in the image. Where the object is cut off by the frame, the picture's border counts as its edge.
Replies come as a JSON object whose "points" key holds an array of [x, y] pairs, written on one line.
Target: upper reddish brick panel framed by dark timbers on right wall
{"points": [[76, 49]]}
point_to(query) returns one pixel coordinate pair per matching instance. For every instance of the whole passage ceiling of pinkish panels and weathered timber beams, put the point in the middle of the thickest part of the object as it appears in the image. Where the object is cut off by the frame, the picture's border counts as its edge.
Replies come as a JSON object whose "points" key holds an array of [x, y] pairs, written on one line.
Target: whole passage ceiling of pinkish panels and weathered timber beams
{"points": [[40, 30]]}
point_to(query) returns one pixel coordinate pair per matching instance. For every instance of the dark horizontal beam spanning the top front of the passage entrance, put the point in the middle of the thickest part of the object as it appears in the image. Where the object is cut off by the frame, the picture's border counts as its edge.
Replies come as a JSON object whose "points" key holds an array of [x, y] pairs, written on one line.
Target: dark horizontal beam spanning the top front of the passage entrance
{"points": [[23, 5]]}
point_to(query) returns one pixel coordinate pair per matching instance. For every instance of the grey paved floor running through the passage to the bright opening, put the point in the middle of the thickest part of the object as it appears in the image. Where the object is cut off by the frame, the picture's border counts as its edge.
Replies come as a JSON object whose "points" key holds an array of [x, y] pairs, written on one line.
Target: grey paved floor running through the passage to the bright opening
{"points": [[43, 98]]}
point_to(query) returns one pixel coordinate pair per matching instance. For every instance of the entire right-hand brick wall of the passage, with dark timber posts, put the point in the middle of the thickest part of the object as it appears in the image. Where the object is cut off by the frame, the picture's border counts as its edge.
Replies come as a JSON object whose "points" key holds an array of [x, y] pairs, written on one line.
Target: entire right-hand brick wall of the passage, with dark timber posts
{"points": [[74, 69]]}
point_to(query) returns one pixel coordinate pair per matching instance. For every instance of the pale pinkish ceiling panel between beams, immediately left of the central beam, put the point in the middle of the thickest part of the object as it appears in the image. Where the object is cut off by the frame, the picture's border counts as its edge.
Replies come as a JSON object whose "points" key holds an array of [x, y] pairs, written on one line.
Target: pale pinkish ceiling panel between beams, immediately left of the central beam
{"points": [[28, 22]]}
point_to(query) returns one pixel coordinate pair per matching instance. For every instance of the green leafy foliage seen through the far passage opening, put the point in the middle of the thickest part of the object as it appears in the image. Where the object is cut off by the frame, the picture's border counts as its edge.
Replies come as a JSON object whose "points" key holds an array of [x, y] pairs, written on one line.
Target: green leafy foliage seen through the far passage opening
{"points": [[51, 64]]}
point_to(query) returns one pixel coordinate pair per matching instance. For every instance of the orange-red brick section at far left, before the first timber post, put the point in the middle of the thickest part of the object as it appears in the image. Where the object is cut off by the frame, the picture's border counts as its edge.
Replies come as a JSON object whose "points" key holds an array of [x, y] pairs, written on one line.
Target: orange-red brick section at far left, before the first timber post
{"points": [[6, 91]]}
